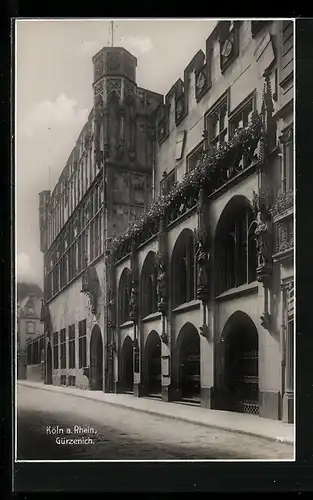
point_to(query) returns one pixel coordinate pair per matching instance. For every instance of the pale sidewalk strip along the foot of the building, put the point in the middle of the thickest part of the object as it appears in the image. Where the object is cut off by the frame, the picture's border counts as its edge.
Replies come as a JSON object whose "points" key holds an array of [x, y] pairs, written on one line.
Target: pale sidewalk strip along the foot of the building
{"points": [[234, 422]]}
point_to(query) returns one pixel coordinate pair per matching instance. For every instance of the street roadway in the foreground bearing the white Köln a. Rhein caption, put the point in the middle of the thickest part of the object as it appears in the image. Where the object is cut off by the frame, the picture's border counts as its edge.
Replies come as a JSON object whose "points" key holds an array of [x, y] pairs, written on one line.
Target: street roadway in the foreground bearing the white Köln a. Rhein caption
{"points": [[122, 434]]}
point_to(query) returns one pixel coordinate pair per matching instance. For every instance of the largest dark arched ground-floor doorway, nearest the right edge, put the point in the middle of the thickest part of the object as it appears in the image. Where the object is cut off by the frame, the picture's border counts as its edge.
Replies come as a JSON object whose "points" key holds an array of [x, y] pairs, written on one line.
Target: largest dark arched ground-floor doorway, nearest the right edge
{"points": [[241, 365]]}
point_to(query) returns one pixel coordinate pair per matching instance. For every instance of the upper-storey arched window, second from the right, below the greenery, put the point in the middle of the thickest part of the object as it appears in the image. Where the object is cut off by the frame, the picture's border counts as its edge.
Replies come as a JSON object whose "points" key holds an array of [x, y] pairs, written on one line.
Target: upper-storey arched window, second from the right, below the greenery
{"points": [[183, 269]]}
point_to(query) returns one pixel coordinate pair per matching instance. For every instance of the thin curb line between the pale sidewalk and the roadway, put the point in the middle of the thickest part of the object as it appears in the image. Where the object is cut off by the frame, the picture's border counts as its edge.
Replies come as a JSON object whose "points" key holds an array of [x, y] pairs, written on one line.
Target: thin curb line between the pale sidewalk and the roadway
{"points": [[158, 414]]}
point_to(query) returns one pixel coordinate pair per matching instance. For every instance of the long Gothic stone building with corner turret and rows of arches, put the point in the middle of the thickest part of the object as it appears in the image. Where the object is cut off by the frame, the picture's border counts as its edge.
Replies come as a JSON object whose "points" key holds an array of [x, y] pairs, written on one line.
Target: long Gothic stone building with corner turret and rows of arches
{"points": [[180, 283]]}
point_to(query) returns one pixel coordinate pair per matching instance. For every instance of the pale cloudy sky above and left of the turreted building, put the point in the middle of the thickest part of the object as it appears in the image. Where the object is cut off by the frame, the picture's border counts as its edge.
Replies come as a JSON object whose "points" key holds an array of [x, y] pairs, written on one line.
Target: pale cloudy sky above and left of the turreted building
{"points": [[54, 98]]}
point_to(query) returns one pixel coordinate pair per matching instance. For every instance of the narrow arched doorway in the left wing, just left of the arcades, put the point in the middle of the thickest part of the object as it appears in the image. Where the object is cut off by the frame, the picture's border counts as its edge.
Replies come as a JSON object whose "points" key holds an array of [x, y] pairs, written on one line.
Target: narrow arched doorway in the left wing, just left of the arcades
{"points": [[96, 360]]}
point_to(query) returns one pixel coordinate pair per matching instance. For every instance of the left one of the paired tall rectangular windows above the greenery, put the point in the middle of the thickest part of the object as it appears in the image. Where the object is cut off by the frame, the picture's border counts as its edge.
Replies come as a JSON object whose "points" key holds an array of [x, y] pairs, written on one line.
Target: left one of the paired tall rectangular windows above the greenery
{"points": [[217, 123]]}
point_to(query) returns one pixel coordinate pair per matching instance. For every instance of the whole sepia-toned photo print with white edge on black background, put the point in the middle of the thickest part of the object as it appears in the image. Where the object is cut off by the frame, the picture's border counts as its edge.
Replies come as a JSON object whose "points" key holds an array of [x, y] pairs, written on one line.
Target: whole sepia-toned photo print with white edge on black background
{"points": [[154, 226]]}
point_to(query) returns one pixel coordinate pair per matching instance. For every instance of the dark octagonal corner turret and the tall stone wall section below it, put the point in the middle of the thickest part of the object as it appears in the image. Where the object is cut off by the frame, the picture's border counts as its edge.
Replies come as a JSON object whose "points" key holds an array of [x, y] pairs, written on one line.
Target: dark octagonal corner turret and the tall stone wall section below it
{"points": [[123, 136]]}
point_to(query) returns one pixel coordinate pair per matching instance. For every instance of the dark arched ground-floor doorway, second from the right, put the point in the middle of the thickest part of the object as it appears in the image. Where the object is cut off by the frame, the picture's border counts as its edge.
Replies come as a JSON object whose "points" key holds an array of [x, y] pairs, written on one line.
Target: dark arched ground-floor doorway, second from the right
{"points": [[189, 363]]}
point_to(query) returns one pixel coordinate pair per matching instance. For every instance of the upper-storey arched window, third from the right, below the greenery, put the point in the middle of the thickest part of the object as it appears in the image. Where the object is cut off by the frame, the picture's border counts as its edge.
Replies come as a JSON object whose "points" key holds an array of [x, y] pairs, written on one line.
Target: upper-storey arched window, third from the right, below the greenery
{"points": [[149, 286]]}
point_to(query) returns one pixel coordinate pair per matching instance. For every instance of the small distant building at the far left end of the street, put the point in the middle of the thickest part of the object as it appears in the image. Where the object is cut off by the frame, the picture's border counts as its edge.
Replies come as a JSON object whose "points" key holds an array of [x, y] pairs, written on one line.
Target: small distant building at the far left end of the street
{"points": [[29, 331]]}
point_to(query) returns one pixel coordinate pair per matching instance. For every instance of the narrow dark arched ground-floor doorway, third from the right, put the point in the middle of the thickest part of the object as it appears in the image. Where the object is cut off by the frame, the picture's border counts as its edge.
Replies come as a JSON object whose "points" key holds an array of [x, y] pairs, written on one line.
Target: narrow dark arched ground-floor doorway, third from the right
{"points": [[153, 364]]}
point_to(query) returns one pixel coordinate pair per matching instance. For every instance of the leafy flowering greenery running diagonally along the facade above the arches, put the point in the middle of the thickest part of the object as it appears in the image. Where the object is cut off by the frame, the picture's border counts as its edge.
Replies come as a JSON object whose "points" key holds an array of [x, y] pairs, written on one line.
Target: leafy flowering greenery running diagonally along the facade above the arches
{"points": [[214, 163]]}
